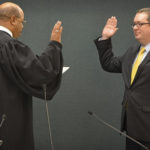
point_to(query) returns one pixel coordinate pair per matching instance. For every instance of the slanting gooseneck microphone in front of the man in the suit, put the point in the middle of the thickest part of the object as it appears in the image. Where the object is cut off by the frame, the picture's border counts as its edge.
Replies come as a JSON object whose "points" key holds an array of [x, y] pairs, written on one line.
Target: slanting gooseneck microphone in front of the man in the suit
{"points": [[115, 129]]}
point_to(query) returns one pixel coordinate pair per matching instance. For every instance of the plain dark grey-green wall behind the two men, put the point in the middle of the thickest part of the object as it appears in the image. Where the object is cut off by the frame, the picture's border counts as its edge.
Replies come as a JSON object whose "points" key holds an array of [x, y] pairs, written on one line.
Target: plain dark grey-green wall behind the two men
{"points": [[85, 86]]}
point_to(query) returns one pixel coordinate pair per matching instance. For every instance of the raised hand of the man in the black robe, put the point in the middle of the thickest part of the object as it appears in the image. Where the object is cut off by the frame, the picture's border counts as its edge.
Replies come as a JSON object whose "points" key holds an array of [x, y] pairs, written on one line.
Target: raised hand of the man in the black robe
{"points": [[56, 32]]}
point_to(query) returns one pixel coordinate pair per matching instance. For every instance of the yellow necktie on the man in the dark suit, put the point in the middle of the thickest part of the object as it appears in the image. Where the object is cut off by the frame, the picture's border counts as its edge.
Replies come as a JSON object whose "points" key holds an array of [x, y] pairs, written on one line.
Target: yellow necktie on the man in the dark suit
{"points": [[137, 63]]}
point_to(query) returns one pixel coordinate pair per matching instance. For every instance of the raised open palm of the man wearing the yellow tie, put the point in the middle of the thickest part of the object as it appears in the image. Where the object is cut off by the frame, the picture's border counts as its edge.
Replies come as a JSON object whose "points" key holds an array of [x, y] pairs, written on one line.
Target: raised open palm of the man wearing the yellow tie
{"points": [[110, 28]]}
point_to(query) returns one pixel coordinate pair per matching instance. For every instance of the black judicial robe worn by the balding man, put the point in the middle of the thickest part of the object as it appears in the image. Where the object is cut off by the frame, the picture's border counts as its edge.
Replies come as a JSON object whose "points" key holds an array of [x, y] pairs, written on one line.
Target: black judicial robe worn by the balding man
{"points": [[22, 75]]}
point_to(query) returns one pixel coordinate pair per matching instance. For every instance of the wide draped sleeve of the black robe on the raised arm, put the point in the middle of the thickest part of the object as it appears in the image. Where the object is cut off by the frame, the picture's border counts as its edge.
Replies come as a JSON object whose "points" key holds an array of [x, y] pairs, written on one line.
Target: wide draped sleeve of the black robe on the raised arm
{"points": [[31, 72]]}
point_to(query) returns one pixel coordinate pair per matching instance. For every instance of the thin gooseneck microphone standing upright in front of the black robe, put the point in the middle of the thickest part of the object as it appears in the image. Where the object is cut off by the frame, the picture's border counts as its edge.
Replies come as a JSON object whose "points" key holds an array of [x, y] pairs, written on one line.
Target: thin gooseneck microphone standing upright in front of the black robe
{"points": [[48, 117]]}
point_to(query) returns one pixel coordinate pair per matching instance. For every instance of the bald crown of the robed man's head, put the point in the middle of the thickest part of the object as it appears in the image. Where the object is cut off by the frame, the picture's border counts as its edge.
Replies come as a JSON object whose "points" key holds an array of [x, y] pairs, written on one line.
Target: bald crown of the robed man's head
{"points": [[9, 9]]}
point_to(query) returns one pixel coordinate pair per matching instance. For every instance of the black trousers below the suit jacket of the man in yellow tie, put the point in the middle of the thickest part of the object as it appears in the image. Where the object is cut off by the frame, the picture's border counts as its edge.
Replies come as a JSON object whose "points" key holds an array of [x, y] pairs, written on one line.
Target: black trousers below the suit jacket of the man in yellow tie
{"points": [[130, 145]]}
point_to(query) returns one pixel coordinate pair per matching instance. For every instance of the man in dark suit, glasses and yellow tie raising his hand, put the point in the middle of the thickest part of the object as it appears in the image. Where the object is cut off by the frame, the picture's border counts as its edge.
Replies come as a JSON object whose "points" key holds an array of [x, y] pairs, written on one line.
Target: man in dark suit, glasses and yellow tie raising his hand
{"points": [[135, 68]]}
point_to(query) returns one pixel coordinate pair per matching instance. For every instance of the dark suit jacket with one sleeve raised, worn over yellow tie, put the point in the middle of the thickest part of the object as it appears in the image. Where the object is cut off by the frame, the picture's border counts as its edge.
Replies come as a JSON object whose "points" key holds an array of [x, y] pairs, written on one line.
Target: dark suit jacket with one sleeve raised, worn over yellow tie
{"points": [[136, 101]]}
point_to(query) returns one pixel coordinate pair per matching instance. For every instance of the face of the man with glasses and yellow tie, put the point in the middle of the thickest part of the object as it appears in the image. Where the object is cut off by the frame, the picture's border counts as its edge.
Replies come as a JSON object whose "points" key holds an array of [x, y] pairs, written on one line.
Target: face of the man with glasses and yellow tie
{"points": [[141, 28]]}
